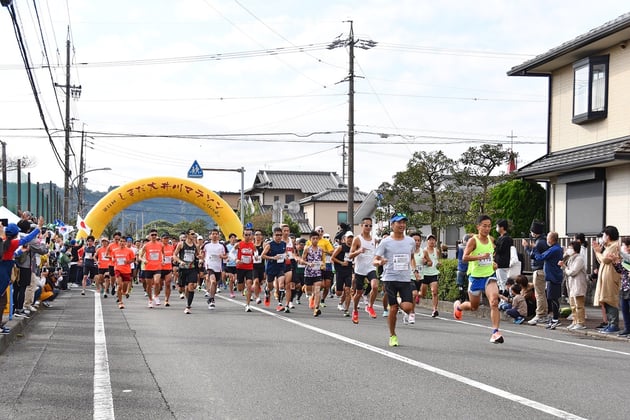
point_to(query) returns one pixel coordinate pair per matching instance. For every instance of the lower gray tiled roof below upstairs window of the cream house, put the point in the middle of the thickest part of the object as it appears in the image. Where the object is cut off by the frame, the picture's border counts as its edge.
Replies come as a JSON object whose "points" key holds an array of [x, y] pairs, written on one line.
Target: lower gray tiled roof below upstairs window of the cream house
{"points": [[593, 155]]}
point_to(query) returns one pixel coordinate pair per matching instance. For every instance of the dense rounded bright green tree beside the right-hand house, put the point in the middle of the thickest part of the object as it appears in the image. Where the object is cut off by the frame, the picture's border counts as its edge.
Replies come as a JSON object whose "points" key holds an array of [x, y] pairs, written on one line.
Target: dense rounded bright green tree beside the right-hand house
{"points": [[519, 202]]}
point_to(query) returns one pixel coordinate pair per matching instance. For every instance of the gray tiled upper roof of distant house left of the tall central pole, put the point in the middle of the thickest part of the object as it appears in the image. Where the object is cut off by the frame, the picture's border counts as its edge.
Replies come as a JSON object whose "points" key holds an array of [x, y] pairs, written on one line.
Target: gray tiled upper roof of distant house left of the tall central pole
{"points": [[307, 182]]}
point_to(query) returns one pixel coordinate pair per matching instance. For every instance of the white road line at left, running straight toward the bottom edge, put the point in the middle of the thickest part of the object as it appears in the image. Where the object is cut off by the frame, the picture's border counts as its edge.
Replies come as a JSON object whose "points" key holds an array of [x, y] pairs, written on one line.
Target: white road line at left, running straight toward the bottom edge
{"points": [[103, 401]]}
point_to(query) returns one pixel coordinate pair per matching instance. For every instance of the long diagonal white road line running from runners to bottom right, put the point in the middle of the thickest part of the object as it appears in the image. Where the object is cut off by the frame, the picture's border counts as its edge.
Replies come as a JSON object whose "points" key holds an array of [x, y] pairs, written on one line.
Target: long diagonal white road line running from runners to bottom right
{"points": [[450, 375]]}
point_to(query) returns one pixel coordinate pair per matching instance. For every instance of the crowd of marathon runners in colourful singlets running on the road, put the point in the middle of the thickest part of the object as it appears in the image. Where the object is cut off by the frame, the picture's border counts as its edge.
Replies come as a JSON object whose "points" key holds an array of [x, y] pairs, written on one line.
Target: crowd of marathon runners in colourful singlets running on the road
{"points": [[281, 270]]}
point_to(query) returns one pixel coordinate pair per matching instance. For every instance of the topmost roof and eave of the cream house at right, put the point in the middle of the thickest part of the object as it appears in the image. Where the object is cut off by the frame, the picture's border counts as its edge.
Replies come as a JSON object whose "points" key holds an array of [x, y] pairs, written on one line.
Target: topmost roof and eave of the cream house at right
{"points": [[610, 33]]}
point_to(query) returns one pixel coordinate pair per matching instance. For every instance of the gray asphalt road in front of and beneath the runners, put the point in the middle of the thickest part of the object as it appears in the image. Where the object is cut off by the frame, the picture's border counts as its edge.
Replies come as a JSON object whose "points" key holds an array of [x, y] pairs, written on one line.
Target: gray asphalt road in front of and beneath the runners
{"points": [[228, 364]]}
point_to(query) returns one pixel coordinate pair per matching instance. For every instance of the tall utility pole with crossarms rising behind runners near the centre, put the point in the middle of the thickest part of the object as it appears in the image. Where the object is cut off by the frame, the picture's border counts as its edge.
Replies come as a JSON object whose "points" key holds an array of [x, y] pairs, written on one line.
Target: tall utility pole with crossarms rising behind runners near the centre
{"points": [[351, 42]]}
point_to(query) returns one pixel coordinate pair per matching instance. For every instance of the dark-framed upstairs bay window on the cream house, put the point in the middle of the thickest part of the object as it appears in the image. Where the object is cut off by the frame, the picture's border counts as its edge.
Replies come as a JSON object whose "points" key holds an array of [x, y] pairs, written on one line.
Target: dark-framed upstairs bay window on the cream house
{"points": [[590, 89]]}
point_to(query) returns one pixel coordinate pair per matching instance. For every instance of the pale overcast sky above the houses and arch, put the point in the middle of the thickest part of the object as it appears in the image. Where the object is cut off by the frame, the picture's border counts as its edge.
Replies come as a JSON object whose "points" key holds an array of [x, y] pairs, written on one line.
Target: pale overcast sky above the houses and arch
{"points": [[255, 79]]}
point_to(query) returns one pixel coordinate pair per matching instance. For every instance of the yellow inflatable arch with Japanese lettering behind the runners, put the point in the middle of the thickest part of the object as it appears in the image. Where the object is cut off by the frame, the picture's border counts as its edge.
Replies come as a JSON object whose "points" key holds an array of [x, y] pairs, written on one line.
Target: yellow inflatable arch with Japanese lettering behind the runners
{"points": [[161, 187]]}
